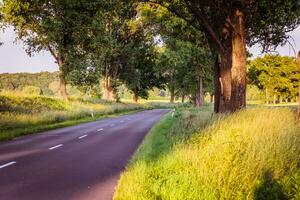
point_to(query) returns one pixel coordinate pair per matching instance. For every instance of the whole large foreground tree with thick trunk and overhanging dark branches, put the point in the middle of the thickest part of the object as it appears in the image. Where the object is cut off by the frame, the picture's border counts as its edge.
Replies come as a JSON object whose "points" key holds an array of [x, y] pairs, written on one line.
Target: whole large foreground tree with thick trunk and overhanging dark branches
{"points": [[229, 26]]}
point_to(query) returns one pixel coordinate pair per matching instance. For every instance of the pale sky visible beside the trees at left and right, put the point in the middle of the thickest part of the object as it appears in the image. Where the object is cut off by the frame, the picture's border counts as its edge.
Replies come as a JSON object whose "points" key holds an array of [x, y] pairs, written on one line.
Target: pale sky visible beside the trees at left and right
{"points": [[13, 57]]}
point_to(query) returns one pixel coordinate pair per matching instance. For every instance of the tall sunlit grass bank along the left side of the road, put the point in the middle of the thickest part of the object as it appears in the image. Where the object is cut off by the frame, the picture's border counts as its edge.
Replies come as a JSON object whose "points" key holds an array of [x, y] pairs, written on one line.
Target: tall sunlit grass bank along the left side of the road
{"points": [[19, 113]]}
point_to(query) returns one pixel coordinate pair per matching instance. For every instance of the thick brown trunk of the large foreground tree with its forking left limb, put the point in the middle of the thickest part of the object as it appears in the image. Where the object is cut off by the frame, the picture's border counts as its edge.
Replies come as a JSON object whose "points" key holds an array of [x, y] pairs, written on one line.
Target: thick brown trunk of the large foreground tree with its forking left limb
{"points": [[230, 92]]}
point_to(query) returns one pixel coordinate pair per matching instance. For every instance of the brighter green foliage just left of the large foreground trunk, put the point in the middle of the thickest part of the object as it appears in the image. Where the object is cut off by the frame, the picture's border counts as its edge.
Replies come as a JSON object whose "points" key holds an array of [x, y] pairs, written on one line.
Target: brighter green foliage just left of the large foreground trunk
{"points": [[184, 57]]}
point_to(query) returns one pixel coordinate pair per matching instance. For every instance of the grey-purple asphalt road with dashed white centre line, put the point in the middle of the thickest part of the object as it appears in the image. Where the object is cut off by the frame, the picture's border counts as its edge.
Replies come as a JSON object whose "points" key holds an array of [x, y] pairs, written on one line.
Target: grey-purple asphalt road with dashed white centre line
{"points": [[81, 162]]}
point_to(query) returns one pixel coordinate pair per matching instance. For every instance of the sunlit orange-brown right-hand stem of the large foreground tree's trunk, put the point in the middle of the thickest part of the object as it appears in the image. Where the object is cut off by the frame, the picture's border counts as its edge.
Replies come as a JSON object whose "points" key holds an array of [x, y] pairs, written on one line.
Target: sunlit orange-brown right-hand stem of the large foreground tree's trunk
{"points": [[239, 61]]}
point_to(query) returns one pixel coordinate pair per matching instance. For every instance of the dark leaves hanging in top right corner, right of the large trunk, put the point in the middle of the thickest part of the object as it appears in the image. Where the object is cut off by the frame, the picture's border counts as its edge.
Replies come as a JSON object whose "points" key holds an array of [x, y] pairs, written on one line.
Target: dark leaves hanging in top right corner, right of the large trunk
{"points": [[269, 22]]}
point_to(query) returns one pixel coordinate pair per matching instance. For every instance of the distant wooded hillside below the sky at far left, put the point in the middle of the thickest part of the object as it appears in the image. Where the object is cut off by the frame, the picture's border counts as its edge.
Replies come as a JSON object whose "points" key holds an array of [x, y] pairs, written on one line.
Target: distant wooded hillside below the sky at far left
{"points": [[47, 82]]}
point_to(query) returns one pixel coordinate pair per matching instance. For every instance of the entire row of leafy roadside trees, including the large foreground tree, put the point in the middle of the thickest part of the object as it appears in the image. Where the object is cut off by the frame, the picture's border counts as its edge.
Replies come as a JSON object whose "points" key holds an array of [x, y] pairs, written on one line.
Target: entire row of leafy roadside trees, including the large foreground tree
{"points": [[203, 41]]}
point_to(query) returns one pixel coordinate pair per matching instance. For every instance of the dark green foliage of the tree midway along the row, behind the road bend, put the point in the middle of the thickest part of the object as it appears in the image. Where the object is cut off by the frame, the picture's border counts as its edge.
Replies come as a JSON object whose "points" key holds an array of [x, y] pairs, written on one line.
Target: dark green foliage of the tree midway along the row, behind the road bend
{"points": [[138, 72]]}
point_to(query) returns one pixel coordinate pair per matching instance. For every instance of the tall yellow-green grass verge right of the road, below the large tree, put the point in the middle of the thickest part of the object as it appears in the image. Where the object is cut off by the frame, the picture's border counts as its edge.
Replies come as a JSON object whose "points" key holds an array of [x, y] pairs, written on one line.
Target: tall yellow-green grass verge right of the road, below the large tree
{"points": [[252, 154]]}
